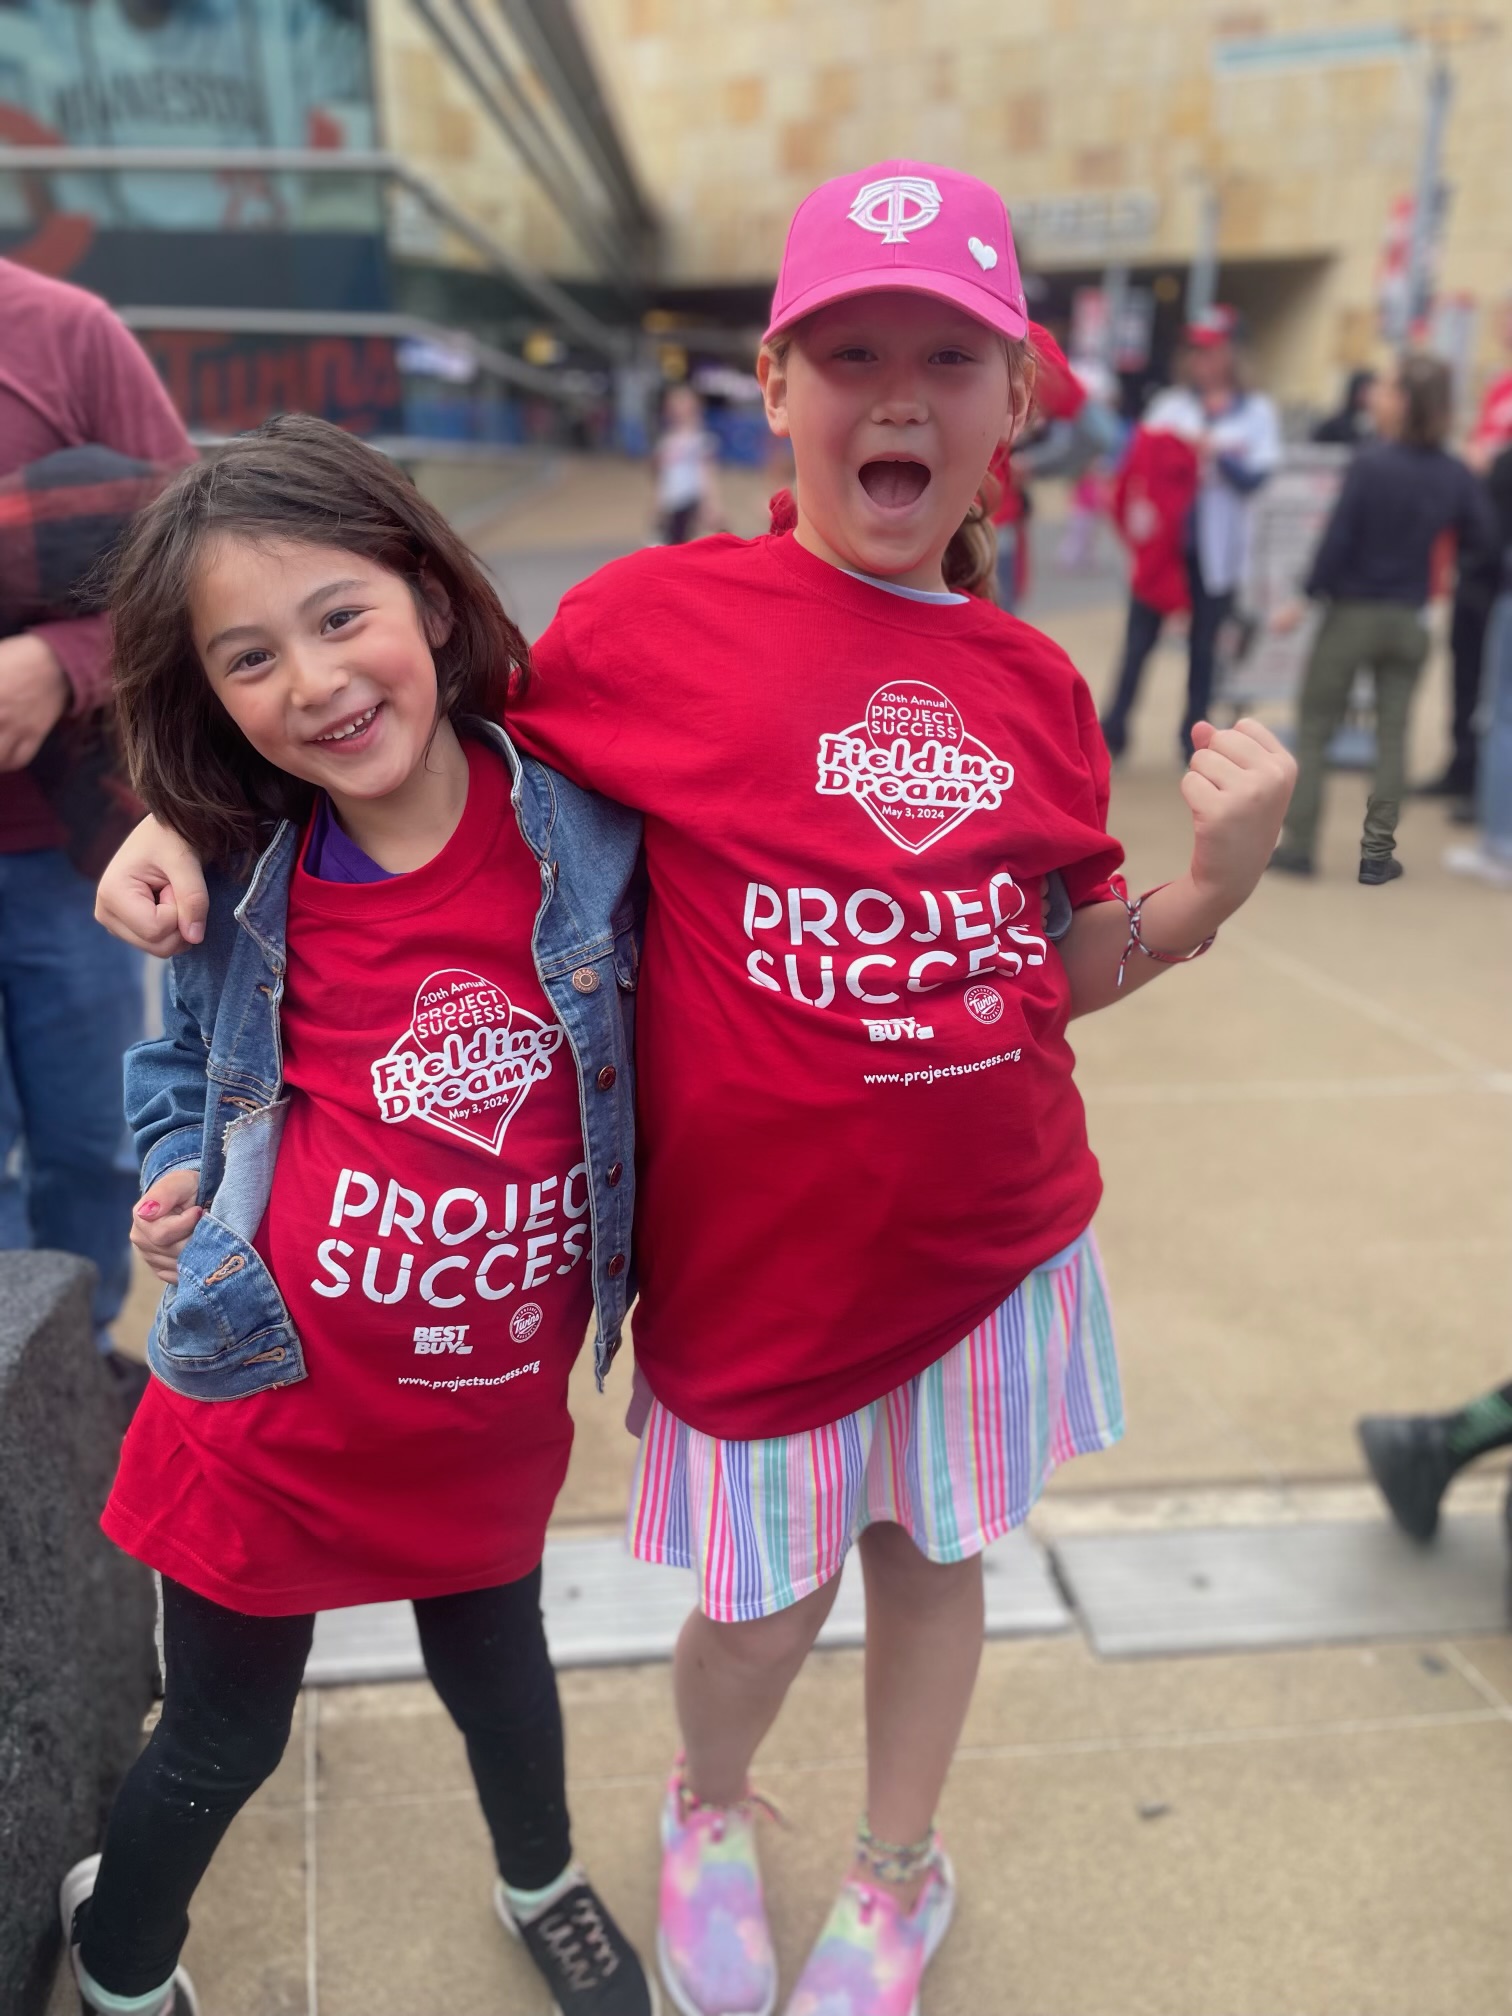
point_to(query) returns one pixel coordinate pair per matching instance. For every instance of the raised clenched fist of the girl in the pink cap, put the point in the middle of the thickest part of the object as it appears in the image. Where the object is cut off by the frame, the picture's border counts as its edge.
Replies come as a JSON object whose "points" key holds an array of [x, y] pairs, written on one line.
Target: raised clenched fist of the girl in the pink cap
{"points": [[1237, 787]]}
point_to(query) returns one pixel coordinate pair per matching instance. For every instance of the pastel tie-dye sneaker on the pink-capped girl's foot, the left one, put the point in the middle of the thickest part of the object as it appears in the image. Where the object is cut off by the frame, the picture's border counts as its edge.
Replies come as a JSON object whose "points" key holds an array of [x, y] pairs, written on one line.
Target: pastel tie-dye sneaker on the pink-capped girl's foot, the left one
{"points": [[713, 1940]]}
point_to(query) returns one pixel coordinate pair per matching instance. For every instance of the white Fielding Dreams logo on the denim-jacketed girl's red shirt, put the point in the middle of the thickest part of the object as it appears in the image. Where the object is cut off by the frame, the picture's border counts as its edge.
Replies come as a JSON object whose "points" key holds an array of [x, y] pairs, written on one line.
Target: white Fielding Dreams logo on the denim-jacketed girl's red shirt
{"points": [[467, 1061]]}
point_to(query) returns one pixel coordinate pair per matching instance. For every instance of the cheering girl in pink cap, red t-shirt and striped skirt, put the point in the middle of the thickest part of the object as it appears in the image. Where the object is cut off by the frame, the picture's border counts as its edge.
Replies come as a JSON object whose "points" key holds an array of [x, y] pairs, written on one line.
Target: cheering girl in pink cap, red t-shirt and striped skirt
{"points": [[880, 886]]}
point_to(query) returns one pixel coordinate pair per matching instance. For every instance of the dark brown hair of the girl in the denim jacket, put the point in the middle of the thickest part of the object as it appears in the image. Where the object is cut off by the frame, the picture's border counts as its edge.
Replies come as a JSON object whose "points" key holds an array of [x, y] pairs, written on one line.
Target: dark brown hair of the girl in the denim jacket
{"points": [[291, 479]]}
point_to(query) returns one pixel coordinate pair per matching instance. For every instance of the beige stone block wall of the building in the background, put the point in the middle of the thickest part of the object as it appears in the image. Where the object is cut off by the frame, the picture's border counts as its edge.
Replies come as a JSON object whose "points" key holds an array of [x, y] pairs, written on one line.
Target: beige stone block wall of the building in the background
{"points": [[735, 110]]}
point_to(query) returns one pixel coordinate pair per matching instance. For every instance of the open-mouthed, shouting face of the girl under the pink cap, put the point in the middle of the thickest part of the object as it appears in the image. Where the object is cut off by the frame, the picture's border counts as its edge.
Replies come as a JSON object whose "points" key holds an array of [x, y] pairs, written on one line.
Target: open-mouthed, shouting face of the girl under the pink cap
{"points": [[894, 406]]}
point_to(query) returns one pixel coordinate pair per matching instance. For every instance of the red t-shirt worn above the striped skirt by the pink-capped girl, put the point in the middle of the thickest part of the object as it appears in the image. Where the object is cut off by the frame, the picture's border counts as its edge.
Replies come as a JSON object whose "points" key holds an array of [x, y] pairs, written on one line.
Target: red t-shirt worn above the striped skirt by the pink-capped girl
{"points": [[858, 1128]]}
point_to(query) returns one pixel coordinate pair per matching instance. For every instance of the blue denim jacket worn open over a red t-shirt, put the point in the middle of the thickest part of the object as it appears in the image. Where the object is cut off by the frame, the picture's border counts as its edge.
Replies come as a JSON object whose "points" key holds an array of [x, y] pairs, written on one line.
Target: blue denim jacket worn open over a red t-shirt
{"points": [[209, 1094]]}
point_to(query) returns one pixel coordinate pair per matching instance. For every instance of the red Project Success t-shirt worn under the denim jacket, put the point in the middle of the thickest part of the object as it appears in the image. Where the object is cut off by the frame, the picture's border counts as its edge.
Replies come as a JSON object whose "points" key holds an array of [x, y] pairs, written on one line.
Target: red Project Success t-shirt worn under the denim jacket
{"points": [[430, 1235]]}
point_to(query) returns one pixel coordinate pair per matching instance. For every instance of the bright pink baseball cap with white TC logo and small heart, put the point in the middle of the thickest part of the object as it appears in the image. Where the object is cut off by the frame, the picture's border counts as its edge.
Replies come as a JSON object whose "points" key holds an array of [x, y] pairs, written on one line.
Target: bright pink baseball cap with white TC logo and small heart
{"points": [[902, 227]]}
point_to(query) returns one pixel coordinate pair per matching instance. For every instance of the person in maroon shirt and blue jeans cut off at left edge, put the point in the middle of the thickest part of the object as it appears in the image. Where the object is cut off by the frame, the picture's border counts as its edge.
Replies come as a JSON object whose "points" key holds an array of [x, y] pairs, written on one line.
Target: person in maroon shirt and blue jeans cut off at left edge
{"points": [[72, 999]]}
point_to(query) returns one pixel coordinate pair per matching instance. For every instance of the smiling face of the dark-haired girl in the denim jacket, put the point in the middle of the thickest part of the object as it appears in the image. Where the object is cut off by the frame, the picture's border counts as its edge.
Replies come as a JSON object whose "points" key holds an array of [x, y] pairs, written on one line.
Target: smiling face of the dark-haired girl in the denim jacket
{"points": [[322, 658]]}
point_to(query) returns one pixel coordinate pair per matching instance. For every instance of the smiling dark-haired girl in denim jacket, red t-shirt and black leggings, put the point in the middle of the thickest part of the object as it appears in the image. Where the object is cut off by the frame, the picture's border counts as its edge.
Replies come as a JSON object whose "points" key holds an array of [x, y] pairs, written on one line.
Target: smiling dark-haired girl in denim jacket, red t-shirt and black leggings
{"points": [[388, 1172]]}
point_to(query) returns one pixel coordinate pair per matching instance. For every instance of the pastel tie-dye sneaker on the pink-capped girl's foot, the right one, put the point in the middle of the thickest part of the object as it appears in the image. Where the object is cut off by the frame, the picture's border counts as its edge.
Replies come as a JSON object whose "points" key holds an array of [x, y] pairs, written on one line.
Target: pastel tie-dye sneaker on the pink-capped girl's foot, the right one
{"points": [[872, 1955]]}
